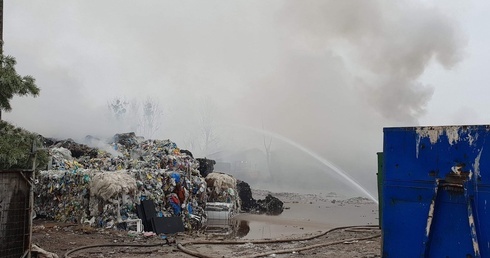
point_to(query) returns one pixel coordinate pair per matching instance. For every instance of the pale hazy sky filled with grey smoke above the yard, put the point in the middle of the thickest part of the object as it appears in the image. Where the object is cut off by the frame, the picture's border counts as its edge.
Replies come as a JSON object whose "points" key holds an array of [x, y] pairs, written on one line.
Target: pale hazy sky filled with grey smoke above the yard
{"points": [[328, 75]]}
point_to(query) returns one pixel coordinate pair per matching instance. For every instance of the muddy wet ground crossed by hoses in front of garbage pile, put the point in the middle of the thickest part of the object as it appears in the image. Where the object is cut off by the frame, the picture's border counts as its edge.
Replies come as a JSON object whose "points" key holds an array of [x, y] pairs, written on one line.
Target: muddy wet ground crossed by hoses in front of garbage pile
{"points": [[305, 216]]}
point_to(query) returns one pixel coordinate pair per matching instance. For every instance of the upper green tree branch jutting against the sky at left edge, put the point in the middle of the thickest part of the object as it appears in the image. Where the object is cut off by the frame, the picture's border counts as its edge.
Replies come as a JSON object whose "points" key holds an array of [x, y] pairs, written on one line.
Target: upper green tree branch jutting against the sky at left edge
{"points": [[11, 83]]}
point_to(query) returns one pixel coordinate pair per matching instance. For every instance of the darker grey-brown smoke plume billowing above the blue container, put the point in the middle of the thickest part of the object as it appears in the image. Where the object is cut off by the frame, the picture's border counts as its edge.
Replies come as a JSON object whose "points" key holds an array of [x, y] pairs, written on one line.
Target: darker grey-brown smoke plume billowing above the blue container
{"points": [[386, 46]]}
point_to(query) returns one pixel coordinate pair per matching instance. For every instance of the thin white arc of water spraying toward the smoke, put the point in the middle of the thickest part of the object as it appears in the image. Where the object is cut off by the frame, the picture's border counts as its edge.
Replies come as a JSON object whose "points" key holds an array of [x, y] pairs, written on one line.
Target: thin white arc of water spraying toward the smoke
{"points": [[329, 164]]}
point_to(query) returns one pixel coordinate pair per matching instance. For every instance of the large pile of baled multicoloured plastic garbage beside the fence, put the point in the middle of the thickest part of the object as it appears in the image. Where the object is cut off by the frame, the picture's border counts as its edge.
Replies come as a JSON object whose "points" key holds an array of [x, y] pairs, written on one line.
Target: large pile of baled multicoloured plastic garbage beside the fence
{"points": [[103, 186]]}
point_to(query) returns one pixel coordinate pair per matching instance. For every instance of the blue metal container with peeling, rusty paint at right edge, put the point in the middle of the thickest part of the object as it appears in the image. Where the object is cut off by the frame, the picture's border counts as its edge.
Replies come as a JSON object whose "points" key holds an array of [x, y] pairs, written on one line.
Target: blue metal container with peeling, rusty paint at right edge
{"points": [[436, 187]]}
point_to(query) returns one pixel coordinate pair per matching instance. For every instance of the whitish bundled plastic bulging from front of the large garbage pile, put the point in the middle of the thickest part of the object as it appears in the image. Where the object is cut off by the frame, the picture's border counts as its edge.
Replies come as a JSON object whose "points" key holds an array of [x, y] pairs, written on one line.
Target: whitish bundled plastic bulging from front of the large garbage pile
{"points": [[107, 185]]}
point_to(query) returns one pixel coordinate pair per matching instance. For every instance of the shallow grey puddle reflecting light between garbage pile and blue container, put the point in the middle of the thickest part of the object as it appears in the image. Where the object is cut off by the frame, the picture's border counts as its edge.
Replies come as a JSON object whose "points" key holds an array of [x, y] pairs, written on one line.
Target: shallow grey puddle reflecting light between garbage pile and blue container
{"points": [[300, 219]]}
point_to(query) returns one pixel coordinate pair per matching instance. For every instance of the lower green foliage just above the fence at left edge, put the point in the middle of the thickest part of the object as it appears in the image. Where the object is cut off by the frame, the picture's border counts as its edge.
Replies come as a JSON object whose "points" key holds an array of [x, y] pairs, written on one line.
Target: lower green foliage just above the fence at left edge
{"points": [[16, 148]]}
